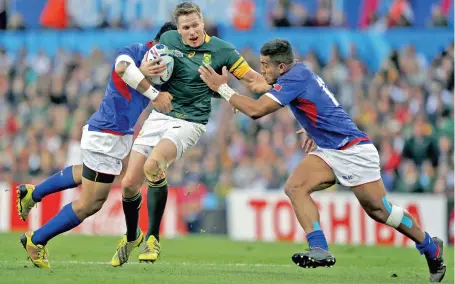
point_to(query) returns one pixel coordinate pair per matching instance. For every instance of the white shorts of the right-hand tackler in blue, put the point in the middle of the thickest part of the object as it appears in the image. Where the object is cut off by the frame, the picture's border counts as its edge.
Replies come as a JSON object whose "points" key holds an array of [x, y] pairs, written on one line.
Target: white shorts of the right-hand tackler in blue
{"points": [[356, 165]]}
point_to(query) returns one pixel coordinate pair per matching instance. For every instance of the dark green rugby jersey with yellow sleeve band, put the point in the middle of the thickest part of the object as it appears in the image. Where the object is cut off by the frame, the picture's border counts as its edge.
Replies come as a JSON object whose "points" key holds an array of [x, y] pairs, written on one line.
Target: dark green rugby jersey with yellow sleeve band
{"points": [[192, 97]]}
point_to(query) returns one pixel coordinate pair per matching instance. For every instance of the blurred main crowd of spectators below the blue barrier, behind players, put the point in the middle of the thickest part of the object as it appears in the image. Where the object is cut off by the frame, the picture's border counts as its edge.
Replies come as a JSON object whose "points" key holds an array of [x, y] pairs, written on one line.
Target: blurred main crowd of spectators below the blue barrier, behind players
{"points": [[406, 108]]}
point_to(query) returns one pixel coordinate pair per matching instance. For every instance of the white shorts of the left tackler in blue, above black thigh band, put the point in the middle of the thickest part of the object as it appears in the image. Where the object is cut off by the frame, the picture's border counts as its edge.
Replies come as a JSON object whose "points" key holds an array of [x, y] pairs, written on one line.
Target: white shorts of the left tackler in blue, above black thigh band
{"points": [[103, 152]]}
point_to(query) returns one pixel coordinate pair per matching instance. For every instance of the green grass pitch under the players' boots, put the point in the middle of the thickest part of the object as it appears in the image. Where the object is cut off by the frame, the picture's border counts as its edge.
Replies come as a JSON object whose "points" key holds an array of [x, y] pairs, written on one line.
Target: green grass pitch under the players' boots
{"points": [[208, 259]]}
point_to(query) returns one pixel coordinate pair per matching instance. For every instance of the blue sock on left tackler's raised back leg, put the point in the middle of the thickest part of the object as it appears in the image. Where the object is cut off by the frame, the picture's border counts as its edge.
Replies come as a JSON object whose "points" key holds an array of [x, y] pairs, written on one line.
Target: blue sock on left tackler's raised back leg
{"points": [[58, 182]]}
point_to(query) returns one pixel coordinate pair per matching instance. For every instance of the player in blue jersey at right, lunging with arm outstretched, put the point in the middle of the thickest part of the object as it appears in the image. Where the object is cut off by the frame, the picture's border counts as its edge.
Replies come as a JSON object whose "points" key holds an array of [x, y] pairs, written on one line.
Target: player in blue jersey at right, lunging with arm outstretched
{"points": [[344, 154]]}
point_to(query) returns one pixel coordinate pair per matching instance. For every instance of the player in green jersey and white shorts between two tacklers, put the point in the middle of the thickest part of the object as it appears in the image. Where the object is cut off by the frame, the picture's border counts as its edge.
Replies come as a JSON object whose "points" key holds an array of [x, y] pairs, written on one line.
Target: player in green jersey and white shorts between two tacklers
{"points": [[165, 137]]}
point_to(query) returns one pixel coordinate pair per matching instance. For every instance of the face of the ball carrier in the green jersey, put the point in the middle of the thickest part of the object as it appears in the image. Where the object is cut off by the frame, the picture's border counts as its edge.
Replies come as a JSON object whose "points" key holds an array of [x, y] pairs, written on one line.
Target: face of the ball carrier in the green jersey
{"points": [[191, 28]]}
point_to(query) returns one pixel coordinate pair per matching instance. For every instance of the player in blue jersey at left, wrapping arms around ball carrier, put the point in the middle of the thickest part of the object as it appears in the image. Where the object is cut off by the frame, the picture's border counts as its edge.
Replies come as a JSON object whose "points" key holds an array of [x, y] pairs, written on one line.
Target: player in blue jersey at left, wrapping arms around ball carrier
{"points": [[106, 141]]}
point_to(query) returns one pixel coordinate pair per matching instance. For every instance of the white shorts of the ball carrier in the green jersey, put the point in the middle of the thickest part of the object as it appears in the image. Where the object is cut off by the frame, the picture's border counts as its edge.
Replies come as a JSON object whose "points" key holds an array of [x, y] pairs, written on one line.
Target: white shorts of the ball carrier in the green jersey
{"points": [[182, 133]]}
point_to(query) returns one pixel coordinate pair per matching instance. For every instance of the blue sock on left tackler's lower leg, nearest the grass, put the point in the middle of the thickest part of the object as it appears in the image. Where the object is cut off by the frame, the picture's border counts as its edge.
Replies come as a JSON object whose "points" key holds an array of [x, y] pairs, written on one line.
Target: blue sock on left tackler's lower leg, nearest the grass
{"points": [[64, 221]]}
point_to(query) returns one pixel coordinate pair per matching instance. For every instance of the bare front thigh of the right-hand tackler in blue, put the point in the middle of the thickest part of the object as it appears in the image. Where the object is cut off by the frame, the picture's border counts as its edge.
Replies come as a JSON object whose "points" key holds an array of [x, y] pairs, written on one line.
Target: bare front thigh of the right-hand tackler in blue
{"points": [[308, 175]]}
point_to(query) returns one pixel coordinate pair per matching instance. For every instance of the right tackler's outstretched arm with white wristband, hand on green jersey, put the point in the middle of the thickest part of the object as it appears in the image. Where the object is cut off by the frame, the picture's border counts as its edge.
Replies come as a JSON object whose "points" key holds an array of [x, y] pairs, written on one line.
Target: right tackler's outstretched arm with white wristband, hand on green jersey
{"points": [[249, 106]]}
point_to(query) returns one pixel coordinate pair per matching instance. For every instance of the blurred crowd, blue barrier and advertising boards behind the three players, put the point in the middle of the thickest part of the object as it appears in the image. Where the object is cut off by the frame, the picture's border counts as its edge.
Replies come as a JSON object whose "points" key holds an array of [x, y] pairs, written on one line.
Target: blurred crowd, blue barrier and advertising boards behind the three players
{"points": [[390, 63]]}
